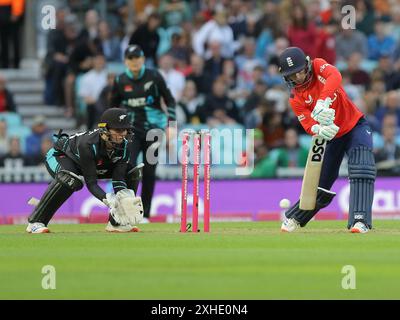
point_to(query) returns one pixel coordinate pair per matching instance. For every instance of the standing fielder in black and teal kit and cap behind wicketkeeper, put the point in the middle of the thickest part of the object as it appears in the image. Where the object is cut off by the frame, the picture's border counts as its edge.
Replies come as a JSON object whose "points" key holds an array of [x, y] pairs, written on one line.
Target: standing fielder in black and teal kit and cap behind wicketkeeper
{"points": [[139, 90]]}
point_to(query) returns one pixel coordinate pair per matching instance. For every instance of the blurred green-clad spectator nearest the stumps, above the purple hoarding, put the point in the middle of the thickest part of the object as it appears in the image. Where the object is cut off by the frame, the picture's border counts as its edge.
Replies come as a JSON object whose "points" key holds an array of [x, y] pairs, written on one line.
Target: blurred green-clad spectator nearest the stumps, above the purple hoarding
{"points": [[264, 165]]}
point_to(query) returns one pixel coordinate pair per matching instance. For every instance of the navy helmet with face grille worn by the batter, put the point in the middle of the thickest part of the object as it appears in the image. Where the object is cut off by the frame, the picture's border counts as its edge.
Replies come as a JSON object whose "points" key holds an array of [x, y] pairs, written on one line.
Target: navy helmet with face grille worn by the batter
{"points": [[291, 61]]}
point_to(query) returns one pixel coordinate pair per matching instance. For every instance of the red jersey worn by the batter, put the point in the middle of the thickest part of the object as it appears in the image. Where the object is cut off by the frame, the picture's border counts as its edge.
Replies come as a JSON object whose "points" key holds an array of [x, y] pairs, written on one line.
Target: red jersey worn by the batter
{"points": [[327, 82]]}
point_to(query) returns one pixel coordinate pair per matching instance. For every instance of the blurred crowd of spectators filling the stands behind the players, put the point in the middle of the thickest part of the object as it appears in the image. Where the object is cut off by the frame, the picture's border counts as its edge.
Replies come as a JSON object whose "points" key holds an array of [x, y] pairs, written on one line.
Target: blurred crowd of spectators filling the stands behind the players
{"points": [[219, 59]]}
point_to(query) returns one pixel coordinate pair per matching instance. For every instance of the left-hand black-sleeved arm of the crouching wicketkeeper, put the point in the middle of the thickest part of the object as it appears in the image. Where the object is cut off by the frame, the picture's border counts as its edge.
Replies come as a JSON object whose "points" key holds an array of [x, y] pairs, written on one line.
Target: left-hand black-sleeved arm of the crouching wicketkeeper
{"points": [[88, 165]]}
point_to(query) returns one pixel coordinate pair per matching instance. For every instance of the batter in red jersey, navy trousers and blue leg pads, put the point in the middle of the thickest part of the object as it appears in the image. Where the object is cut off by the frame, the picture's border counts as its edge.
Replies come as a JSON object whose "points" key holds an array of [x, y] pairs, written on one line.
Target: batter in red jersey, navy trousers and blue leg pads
{"points": [[323, 108]]}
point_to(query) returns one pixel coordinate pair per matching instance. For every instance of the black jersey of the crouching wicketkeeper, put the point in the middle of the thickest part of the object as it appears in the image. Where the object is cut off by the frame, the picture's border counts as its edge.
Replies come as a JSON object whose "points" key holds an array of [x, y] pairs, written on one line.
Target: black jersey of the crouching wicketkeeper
{"points": [[89, 152]]}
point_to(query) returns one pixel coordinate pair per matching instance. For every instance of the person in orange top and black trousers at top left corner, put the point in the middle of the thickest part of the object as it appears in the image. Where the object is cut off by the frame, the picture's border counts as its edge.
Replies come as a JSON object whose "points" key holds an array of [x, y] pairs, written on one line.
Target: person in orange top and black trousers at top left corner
{"points": [[11, 13]]}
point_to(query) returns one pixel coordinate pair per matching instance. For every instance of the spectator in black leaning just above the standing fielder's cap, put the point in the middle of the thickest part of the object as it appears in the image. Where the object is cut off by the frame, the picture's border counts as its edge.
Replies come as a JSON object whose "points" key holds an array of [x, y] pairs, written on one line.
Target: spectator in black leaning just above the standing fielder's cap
{"points": [[146, 36]]}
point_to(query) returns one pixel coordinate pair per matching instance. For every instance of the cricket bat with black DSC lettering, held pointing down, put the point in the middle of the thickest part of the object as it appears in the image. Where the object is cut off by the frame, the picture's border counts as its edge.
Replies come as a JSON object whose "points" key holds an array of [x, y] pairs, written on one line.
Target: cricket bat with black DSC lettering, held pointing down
{"points": [[312, 172]]}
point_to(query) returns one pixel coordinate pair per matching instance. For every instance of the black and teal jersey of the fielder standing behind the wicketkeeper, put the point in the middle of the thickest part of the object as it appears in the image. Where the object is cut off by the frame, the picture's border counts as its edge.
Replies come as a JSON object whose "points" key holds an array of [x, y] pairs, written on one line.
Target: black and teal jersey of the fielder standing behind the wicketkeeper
{"points": [[141, 97]]}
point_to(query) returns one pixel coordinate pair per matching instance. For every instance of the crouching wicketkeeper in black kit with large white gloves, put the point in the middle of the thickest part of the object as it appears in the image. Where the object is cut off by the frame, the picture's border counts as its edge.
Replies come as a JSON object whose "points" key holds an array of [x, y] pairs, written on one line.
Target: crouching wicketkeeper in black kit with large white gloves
{"points": [[102, 153]]}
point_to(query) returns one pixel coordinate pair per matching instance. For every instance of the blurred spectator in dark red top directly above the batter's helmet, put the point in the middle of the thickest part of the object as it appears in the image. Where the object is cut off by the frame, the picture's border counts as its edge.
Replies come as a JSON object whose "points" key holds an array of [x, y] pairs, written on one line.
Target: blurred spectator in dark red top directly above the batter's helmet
{"points": [[301, 32]]}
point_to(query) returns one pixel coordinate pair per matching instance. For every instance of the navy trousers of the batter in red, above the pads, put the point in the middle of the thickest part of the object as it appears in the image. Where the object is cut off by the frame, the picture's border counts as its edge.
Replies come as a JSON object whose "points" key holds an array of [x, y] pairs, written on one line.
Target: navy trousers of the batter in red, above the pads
{"points": [[360, 135]]}
